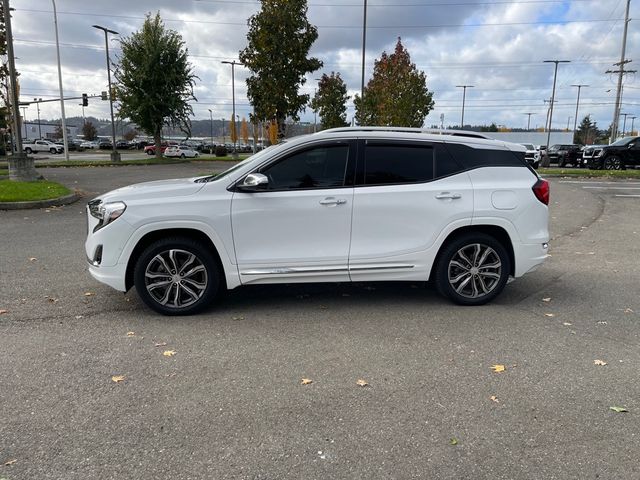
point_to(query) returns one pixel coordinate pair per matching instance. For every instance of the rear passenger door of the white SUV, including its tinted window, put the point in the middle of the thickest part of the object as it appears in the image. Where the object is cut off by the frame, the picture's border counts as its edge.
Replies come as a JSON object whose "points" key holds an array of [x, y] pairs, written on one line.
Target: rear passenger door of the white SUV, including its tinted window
{"points": [[406, 195]]}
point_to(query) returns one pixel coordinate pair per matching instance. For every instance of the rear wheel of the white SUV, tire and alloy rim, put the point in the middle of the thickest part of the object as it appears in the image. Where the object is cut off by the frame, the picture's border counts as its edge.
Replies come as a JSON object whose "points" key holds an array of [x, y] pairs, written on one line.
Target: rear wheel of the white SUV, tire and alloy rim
{"points": [[472, 269]]}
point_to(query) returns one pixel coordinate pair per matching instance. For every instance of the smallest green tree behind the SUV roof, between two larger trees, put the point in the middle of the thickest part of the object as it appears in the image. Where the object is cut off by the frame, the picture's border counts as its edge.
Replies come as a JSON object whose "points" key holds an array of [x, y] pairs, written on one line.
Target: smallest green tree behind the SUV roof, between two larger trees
{"points": [[330, 101]]}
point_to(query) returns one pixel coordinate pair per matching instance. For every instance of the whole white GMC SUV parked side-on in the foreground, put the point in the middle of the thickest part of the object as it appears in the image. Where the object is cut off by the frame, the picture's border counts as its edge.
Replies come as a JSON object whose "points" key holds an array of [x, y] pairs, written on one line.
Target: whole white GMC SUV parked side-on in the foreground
{"points": [[350, 204]]}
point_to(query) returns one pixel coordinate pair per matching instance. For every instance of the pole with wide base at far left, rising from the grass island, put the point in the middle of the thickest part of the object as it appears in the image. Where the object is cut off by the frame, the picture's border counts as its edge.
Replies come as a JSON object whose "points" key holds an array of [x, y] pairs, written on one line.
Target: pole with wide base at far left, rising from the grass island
{"points": [[21, 167]]}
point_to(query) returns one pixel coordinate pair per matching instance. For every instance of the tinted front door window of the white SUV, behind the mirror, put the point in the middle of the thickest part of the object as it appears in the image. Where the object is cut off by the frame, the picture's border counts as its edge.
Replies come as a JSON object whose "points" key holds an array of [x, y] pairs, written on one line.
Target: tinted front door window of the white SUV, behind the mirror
{"points": [[321, 167]]}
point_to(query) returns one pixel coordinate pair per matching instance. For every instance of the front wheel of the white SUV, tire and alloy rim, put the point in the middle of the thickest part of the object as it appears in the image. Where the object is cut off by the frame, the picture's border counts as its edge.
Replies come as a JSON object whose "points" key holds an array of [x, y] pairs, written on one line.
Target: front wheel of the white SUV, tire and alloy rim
{"points": [[184, 292]]}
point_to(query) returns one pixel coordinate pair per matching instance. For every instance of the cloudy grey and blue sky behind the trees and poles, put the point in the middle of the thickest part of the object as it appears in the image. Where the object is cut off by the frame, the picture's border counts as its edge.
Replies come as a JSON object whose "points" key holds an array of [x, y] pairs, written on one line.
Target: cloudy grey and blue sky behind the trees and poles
{"points": [[496, 45]]}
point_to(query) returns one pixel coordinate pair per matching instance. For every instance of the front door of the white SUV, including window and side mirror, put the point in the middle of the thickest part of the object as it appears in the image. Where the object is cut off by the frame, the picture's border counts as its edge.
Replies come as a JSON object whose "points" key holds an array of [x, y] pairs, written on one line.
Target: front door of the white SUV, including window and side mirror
{"points": [[298, 228]]}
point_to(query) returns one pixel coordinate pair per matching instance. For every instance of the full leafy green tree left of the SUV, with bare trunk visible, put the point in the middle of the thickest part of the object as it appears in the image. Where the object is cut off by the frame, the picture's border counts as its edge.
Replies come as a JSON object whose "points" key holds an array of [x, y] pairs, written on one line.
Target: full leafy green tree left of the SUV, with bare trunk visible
{"points": [[155, 80]]}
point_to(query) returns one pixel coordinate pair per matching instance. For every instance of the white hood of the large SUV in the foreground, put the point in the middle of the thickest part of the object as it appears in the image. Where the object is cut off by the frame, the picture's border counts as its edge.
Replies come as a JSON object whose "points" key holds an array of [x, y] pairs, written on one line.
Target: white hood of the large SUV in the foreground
{"points": [[179, 187]]}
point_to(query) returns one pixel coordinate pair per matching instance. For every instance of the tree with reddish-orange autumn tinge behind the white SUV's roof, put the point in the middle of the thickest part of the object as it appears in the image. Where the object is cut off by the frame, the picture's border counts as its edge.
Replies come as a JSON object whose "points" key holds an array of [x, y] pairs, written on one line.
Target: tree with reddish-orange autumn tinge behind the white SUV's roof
{"points": [[396, 95]]}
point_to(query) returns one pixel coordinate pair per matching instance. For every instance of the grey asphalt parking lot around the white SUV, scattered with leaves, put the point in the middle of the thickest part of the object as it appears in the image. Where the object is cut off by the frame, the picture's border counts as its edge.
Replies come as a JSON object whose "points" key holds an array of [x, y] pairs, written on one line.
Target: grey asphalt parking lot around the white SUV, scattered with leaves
{"points": [[230, 404]]}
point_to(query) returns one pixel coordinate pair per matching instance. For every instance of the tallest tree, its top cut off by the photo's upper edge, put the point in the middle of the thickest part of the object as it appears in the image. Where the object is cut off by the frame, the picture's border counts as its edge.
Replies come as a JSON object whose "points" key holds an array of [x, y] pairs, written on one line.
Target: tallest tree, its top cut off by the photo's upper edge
{"points": [[279, 40]]}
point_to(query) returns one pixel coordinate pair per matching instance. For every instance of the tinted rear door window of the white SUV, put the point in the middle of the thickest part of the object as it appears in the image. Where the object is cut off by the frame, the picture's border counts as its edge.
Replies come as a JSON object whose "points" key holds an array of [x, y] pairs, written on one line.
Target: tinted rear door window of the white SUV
{"points": [[389, 164]]}
